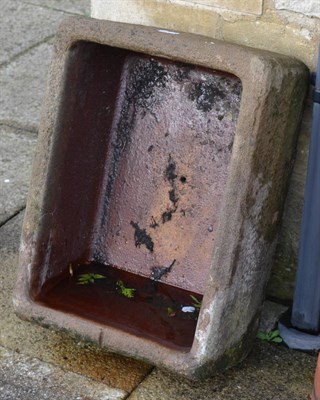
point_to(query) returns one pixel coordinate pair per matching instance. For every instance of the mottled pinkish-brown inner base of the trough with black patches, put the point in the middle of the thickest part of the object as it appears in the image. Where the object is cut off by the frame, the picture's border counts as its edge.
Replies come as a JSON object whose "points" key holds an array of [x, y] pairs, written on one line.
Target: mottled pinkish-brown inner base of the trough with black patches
{"points": [[166, 171]]}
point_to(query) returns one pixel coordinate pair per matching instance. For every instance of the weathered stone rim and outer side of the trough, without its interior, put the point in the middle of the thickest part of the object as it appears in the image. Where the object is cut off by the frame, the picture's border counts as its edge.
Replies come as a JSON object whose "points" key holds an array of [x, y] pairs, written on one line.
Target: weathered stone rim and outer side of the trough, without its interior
{"points": [[274, 88]]}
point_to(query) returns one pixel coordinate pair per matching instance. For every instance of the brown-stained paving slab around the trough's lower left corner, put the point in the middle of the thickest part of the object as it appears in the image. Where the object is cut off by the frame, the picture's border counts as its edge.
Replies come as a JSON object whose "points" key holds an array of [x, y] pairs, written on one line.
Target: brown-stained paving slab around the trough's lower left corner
{"points": [[54, 347]]}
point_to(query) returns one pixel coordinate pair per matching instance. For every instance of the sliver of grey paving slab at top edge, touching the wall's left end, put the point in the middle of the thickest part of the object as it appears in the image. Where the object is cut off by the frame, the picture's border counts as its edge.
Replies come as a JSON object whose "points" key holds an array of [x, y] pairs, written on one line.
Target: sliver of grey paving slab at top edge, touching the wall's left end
{"points": [[70, 6]]}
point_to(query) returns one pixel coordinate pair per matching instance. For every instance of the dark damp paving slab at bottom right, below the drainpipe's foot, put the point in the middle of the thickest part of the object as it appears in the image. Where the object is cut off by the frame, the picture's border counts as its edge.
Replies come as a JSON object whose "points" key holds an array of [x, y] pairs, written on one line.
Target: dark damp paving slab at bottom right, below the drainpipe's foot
{"points": [[269, 372]]}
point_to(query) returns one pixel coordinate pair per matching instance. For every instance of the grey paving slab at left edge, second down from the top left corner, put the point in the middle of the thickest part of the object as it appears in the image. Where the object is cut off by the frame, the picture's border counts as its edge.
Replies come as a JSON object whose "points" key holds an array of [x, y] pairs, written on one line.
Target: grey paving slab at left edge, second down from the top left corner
{"points": [[23, 84]]}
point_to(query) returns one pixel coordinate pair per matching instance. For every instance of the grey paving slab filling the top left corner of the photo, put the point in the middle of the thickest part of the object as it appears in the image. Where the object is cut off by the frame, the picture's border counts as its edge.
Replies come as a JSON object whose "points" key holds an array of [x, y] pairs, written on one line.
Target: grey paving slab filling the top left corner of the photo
{"points": [[23, 26]]}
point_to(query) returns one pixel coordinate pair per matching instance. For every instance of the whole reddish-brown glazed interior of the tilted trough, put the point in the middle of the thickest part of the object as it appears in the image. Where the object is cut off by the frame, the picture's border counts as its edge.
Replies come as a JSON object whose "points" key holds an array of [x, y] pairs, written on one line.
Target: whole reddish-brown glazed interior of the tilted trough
{"points": [[137, 178]]}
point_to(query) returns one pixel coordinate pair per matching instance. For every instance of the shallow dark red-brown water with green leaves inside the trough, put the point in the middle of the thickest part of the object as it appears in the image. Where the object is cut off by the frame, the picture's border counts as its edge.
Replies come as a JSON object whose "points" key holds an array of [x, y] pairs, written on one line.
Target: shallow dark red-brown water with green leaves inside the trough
{"points": [[153, 310]]}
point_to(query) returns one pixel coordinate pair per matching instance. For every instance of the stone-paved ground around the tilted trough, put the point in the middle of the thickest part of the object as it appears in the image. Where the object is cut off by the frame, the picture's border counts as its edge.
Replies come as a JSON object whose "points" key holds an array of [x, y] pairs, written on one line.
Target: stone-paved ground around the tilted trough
{"points": [[36, 363]]}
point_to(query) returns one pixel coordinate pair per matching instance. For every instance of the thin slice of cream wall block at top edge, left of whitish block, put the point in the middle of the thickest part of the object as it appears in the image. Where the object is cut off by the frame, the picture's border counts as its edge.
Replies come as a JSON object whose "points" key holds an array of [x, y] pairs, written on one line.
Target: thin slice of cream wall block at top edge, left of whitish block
{"points": [[243, 6]]}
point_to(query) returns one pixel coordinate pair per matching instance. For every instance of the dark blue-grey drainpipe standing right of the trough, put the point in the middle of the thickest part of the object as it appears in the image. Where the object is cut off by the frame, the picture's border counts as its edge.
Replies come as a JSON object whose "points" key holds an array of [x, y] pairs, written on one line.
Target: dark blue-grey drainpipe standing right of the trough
{"points": [[302, 330]]}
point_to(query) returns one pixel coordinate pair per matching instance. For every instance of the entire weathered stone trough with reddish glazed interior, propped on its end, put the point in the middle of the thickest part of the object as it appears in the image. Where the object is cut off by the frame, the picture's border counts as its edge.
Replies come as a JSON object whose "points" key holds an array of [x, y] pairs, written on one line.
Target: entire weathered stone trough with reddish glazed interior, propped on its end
{"points": [[157, 190]]}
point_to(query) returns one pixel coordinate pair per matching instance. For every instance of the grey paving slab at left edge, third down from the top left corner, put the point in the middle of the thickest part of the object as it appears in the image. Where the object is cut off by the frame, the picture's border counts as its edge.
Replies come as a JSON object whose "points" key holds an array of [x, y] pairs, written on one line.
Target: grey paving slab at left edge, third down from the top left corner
{"points": [[16, 152]]}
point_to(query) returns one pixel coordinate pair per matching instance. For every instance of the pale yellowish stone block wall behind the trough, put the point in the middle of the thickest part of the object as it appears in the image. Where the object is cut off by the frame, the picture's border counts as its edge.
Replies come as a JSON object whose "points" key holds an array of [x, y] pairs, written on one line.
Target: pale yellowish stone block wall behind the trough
{"points": [[289, 27]]}
